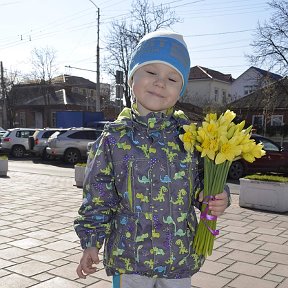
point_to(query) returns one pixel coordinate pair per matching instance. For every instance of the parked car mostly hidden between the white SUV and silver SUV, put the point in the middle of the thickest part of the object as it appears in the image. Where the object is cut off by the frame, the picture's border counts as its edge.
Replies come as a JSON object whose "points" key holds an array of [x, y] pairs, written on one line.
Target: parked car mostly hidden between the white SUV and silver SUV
{"points": [[38, 142]]}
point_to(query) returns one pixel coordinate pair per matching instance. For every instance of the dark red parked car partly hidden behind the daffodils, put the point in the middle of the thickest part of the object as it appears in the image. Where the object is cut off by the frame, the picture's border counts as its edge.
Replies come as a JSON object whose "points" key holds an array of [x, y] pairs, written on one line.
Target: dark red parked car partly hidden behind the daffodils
{"points": [[275, 160]]}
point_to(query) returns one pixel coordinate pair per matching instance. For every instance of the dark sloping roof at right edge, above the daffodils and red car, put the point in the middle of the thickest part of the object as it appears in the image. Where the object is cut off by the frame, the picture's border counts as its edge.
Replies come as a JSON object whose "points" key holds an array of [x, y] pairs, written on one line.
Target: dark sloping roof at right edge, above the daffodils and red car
{"points": [[275, 94]]}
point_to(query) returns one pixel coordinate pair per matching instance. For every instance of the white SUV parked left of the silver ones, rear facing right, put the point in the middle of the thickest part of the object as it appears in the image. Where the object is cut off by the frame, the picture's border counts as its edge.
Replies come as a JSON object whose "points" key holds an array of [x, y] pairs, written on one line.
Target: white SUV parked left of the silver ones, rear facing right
{"points": [[15, 141]]}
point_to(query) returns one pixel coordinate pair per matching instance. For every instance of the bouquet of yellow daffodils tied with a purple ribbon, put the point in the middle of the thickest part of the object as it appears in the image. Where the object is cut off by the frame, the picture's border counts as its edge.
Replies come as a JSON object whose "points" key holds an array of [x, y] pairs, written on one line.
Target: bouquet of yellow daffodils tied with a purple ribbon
{"points": [[220, 141]]}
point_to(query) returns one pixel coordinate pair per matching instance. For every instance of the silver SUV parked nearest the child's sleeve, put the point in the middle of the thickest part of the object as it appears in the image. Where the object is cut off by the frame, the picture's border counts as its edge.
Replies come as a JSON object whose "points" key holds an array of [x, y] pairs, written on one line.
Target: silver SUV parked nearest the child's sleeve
{"points": [[72, 144]]}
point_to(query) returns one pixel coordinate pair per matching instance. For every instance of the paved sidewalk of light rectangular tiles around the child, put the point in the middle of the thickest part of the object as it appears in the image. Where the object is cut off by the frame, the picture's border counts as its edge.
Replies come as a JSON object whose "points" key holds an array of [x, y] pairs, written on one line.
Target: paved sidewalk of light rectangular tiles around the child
{"points": [[39, 249]]}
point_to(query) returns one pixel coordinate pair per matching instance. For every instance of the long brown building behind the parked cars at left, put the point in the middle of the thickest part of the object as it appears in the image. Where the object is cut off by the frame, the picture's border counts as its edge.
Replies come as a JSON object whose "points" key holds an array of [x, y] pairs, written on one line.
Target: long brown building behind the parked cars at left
{"points": [[35, 105]]}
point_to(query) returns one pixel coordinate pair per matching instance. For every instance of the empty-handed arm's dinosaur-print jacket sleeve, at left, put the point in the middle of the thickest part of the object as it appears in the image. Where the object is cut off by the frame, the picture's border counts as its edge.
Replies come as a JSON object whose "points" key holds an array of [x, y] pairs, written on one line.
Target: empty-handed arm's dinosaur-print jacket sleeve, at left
{"points": [[100, 198]]}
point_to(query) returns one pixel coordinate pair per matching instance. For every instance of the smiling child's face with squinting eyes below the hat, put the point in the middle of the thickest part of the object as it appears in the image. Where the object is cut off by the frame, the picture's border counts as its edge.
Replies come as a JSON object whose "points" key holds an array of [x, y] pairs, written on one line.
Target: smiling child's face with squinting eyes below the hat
{"points": [[156, 87]]}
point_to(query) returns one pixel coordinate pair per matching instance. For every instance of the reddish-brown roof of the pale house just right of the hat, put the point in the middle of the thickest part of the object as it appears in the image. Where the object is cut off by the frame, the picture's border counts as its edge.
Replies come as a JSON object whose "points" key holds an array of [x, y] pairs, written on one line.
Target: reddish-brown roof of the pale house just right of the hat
{"points": [[198, 72]]}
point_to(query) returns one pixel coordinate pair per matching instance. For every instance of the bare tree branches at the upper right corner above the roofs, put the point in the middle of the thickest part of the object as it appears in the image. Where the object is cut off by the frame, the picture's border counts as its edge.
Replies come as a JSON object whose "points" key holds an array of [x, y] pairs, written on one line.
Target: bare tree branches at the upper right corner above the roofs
{"points": [[270, 46]]}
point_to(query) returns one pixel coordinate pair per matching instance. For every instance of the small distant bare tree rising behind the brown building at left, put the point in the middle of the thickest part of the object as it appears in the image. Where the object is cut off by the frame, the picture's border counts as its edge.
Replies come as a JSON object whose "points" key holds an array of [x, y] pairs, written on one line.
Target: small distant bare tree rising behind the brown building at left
{"points": [[43, 62]]}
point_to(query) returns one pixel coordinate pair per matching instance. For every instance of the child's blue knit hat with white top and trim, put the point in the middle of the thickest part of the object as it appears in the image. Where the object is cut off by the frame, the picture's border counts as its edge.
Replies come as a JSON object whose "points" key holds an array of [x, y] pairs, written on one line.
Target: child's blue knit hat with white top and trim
{"points": [[162, 47]]}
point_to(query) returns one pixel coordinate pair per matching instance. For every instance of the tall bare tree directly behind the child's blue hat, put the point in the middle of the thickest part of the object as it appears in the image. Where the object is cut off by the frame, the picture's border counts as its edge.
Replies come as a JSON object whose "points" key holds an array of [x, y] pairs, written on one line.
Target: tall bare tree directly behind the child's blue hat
{"points": [[124, 36]]}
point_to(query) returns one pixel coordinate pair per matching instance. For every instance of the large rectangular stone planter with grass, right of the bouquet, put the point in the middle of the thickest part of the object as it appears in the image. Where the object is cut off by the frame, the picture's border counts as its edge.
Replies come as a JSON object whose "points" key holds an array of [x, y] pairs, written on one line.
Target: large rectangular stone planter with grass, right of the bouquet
{"points": [[264, 195]]}
